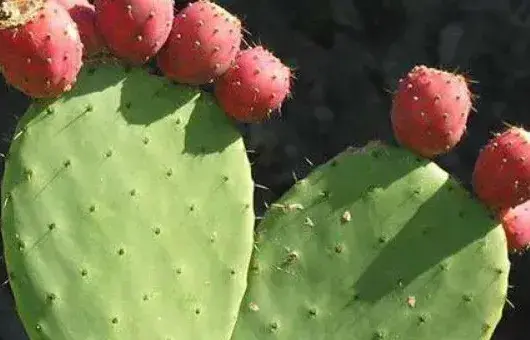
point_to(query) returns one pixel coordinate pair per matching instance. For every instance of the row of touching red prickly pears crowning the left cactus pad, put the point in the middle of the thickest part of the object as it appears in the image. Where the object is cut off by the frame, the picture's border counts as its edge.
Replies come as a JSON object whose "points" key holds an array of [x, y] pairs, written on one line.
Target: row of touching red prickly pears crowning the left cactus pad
{"points": [[43, 44]]}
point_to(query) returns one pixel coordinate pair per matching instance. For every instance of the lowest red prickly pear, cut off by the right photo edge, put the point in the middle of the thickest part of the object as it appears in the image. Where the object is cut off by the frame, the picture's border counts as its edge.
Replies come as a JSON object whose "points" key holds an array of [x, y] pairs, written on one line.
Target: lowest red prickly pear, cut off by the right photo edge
{"points": [[516, 224]]}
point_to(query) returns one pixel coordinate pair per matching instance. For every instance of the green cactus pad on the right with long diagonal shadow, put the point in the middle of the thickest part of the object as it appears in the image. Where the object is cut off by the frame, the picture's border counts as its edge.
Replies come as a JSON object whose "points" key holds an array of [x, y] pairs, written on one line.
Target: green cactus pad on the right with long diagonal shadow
{"points": [[374, 245]]}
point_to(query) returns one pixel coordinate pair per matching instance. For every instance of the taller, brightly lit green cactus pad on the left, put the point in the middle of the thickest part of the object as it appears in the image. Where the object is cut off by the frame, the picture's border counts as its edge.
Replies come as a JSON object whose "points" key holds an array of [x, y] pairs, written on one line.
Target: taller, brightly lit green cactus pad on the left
{"points": [[127, 212]]}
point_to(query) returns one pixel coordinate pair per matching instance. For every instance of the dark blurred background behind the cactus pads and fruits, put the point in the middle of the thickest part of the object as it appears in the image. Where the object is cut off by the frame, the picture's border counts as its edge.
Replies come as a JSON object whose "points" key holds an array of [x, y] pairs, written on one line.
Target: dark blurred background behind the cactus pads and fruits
{"points": [[348, 56]]}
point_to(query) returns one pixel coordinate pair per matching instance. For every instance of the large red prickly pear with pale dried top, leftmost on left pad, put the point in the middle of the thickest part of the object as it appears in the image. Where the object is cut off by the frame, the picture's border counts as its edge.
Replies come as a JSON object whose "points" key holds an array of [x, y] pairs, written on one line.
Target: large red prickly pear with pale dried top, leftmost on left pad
{"points": [[41, 52]]}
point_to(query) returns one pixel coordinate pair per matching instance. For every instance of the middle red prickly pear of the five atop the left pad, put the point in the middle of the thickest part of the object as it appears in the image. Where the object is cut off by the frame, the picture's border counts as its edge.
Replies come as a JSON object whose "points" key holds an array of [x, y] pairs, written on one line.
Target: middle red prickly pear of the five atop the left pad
{"points": [[134, 30]]}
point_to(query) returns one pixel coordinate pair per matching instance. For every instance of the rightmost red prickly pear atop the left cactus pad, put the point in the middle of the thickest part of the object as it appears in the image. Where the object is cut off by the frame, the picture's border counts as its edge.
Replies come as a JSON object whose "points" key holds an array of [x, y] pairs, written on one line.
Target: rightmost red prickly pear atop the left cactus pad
{"points": [[254, 86]]}
